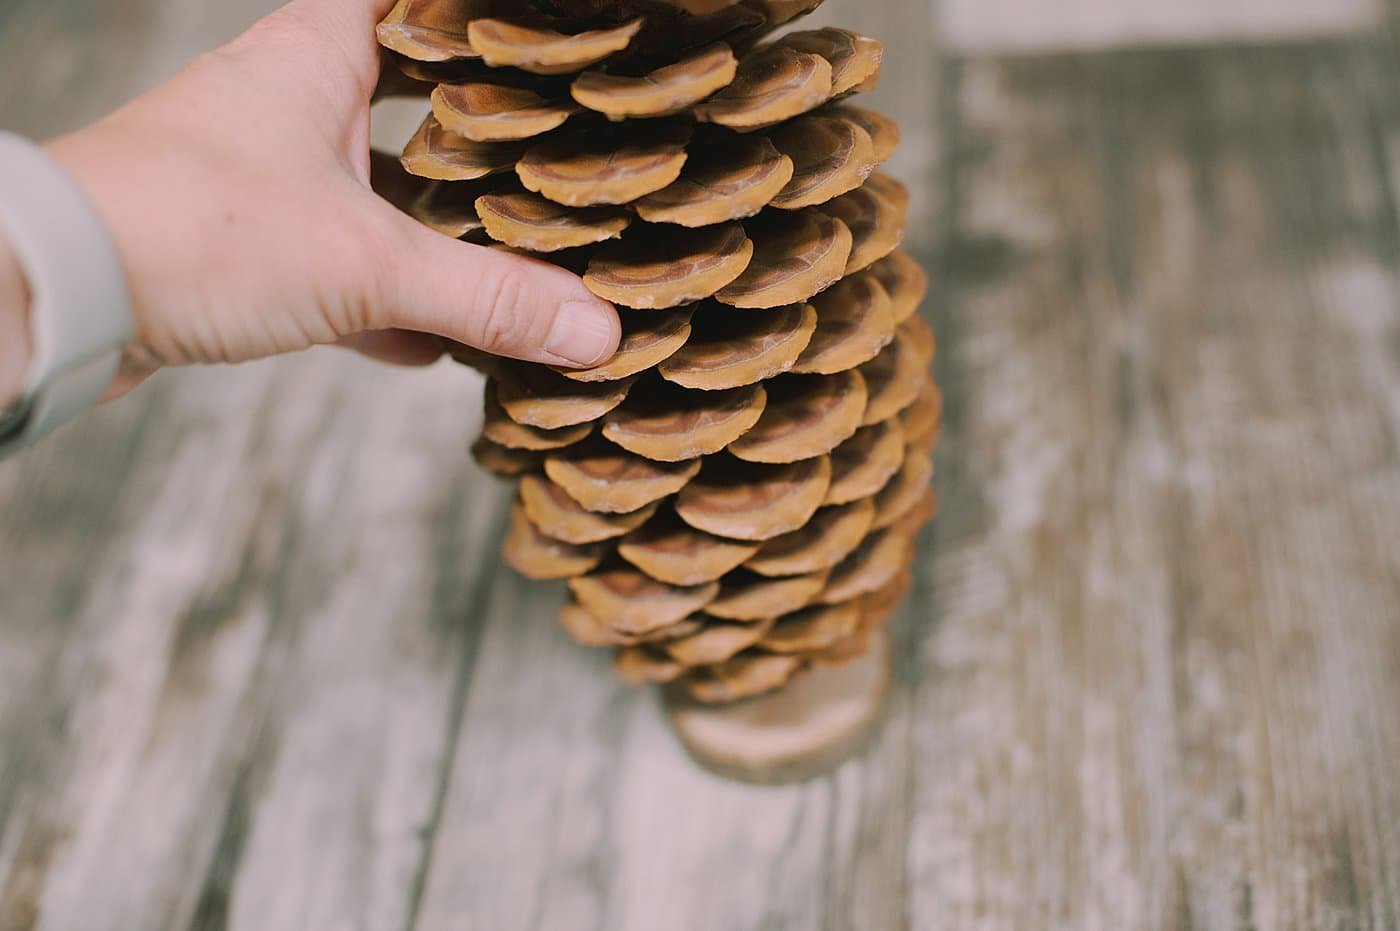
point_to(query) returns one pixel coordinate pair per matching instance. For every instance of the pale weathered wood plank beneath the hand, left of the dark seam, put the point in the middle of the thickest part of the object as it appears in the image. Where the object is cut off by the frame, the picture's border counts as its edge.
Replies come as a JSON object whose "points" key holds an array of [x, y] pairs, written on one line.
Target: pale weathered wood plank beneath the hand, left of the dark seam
{"points": [[225, 591]]}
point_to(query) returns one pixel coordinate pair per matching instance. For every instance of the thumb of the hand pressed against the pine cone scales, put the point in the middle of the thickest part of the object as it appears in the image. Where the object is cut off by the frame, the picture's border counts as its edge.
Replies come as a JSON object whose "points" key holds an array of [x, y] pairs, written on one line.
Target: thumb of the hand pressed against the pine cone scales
{"points": [[496, 302]]}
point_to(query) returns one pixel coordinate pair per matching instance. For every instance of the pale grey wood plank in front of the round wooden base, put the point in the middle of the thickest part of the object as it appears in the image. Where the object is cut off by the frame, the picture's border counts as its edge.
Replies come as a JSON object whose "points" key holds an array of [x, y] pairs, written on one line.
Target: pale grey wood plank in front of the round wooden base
{"points": [[572, 807]]}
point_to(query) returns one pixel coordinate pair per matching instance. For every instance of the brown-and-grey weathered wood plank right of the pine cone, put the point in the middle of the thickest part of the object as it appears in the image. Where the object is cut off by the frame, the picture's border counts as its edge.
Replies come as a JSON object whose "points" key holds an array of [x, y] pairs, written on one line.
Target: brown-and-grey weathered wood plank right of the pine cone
{"points": [[1158, 691]]}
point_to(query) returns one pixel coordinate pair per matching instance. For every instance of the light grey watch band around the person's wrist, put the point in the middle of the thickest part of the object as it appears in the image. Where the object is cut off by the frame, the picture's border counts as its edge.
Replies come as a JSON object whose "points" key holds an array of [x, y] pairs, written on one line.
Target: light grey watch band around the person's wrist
{"points": [[80, 314]]}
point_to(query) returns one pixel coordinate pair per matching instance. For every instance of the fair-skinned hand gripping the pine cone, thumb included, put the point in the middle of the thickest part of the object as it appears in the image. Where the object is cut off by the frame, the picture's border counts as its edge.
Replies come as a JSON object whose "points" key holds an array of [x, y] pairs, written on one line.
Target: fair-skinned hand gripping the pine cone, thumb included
{"points": [[240, 199]]}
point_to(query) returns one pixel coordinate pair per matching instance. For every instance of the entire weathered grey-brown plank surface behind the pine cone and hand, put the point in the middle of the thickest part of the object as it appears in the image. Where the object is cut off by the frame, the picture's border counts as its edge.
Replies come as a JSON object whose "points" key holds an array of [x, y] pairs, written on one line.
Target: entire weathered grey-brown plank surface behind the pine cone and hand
{"points": [[261, 667]]}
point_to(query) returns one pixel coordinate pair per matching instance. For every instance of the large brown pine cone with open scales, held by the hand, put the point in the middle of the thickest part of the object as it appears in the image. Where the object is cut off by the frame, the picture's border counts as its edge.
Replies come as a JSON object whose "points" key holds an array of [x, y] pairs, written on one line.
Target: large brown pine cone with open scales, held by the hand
{"points": [[736, 495]]}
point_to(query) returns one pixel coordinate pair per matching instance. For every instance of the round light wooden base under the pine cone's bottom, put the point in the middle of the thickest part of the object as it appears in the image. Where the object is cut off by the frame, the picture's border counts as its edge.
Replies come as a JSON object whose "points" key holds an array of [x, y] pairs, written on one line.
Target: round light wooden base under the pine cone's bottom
{"points": [[806, 730]]}
